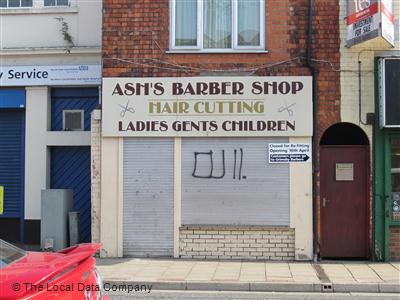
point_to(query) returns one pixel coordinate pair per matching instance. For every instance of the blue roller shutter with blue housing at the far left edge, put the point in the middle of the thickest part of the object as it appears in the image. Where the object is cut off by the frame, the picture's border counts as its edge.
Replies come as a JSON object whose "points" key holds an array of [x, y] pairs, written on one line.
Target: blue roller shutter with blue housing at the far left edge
{"points": [[12, 144]]}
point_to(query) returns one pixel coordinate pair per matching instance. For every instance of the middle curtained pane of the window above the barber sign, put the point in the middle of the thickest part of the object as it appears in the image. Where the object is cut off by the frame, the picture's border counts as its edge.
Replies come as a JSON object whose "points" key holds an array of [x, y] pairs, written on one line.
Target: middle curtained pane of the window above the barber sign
{"points": [[217, 18]]}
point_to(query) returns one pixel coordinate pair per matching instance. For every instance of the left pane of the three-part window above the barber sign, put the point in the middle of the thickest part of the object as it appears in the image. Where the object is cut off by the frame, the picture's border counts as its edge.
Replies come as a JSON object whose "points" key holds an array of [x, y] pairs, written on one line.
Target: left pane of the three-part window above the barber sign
{"points": [[186, 23]]}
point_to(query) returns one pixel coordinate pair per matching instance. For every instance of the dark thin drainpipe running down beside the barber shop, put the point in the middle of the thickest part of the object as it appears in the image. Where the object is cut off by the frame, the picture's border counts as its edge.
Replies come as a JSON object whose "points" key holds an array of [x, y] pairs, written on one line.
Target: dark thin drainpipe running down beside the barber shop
{"points": [[313, 70]]}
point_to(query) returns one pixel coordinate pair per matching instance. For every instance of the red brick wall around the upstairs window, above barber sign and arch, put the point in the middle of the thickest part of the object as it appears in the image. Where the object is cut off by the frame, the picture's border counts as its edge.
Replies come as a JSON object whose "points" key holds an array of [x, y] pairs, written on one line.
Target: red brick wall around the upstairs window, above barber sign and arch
{"points": [[136, 42]]}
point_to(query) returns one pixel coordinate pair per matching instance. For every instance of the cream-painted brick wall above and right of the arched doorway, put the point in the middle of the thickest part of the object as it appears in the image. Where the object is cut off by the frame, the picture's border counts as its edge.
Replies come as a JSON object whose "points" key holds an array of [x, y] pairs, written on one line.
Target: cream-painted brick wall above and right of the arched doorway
{"points": [[349, 57]]}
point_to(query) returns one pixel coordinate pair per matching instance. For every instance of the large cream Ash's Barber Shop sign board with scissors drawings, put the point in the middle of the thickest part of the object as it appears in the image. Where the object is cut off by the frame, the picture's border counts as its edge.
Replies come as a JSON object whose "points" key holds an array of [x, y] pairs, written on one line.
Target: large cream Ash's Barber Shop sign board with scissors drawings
{"points": [[207, 106]]}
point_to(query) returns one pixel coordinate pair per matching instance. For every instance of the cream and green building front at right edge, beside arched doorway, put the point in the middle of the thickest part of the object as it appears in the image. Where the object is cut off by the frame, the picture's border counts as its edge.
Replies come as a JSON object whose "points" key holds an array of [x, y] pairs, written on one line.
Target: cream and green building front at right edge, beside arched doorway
{"points": [[361, 85]]}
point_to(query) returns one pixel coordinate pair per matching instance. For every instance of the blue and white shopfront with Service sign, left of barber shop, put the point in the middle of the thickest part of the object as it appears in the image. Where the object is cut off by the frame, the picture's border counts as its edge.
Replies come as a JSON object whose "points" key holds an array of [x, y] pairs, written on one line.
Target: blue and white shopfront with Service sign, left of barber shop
{"points": [[45, 144]]}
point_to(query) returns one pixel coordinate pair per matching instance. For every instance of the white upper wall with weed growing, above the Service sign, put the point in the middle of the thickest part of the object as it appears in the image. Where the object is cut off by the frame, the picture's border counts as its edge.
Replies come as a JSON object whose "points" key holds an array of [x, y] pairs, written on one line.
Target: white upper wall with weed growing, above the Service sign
{"points": [[37, 26]]}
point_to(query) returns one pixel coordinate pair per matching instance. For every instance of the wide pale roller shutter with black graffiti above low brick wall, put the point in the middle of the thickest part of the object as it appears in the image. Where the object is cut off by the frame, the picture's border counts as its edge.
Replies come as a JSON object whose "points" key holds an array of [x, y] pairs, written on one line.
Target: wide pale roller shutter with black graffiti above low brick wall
{"points": [[229, 181]]}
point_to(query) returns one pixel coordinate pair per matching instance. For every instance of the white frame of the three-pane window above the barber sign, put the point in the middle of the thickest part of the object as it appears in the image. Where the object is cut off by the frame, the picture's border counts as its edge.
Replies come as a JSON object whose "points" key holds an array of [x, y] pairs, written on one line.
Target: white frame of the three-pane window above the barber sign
{"points": [[199, 47]]}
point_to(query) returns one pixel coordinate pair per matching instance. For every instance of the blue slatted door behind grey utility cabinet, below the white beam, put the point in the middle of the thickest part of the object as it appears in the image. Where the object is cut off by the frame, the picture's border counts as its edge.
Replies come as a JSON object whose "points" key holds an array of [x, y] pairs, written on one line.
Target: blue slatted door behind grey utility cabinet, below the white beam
{"points": [[70, 169]]}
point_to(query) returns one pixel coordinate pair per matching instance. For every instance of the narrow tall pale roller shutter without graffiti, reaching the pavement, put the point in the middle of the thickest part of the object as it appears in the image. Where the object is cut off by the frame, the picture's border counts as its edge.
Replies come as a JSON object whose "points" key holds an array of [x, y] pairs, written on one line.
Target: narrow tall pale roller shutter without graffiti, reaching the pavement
{"points": [[148, 197]]}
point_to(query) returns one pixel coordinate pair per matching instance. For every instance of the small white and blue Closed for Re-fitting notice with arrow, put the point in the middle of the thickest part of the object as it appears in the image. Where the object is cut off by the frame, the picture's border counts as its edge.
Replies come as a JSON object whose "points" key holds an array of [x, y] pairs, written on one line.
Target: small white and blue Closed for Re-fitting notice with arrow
{"points": [[289, 153]]}
